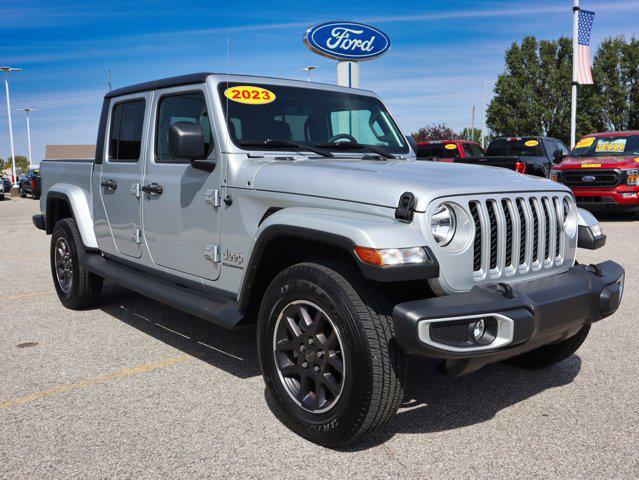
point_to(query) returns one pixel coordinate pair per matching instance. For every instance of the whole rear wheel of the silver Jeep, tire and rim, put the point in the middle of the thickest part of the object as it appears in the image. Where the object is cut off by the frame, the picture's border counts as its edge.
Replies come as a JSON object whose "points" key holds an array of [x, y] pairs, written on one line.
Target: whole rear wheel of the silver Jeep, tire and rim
{"points": [[76, 287]]}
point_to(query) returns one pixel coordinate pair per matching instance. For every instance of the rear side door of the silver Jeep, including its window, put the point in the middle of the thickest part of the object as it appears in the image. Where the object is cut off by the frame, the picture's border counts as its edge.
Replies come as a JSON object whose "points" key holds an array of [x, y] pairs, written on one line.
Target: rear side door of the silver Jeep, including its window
{"points": [[121, 172]]}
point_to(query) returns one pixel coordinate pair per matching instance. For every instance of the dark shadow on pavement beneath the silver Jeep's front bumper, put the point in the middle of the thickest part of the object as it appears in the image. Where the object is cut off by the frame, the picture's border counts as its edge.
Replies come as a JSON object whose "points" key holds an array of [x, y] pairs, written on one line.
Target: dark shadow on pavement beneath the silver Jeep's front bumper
{"points": [[435, 402]]}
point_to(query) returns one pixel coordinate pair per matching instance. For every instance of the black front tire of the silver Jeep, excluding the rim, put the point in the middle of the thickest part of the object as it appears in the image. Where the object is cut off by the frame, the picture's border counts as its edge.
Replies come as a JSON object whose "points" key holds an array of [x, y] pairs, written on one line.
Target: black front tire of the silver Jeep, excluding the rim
{"points": [[374, 365]]}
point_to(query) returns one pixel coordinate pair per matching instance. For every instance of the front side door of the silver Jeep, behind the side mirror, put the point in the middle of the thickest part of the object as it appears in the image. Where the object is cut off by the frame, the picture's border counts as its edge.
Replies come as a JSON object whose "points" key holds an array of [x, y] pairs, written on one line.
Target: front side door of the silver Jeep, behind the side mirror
{"points": [[181, 220]]}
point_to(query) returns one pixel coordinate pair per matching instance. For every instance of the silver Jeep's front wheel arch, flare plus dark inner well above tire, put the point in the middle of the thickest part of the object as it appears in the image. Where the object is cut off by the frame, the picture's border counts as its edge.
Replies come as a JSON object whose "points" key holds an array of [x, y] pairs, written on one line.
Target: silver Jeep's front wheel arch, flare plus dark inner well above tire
{"points": [[281, 242]]}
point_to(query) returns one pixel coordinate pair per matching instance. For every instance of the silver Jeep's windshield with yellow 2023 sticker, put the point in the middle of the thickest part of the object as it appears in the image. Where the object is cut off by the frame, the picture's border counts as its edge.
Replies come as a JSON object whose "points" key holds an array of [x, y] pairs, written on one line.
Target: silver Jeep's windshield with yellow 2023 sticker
{"points": [[260, 114]]}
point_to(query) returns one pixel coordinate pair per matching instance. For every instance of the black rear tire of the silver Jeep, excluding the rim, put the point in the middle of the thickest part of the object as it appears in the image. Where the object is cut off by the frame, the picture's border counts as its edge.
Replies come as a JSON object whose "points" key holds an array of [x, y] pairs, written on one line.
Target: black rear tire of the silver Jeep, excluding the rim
{"points": [[86, 288]]}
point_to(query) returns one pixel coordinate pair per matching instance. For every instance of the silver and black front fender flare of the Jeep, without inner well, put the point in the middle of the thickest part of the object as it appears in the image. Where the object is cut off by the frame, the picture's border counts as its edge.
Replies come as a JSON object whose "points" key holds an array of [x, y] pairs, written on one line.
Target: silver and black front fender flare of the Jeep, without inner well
{"points": [[344, 230]]}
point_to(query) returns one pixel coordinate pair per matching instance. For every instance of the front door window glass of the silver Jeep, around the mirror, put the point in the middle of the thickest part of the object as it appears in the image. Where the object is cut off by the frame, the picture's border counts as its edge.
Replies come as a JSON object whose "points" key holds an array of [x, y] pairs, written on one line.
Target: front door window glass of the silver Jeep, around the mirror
{"points": [[185, 107]]}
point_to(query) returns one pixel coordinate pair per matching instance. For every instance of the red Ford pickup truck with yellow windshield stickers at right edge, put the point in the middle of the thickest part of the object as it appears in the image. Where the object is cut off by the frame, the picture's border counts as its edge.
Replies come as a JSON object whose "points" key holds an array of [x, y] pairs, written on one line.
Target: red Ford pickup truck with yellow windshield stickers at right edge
{"points": [[603, 171]]}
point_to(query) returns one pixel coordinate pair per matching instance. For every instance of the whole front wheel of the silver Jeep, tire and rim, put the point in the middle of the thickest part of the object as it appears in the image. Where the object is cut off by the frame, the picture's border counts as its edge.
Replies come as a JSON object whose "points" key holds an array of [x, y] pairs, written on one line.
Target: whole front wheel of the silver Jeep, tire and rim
{"points": [[328, 355]]}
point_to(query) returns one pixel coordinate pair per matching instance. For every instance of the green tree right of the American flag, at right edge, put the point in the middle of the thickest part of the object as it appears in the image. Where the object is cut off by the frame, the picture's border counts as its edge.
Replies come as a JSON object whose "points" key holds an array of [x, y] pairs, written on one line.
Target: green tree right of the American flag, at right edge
{"points": [[612, 103]]}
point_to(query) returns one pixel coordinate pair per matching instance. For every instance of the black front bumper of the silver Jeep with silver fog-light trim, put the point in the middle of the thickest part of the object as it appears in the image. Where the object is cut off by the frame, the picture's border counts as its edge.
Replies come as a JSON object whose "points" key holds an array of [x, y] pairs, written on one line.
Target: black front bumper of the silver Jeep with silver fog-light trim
{"points": [[535, 313]]}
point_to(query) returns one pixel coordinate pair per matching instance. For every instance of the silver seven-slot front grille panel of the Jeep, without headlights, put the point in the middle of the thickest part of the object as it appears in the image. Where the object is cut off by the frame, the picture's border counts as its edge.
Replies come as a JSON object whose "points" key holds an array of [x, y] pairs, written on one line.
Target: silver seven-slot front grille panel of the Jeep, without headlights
{"points": [[504, 237]]}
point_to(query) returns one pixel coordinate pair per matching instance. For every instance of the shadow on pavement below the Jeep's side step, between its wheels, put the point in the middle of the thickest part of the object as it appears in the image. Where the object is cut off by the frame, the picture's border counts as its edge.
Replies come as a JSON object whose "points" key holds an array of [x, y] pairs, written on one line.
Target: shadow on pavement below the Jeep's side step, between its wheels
{"points": [[230, 350]]}
